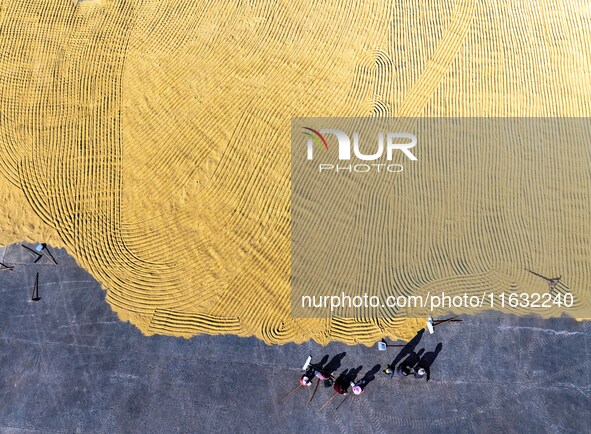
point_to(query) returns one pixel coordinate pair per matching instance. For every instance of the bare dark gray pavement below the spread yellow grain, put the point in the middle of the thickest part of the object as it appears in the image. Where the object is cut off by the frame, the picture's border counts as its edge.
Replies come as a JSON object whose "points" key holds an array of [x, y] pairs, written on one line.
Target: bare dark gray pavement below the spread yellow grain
{"points": [[67, 364]]}
